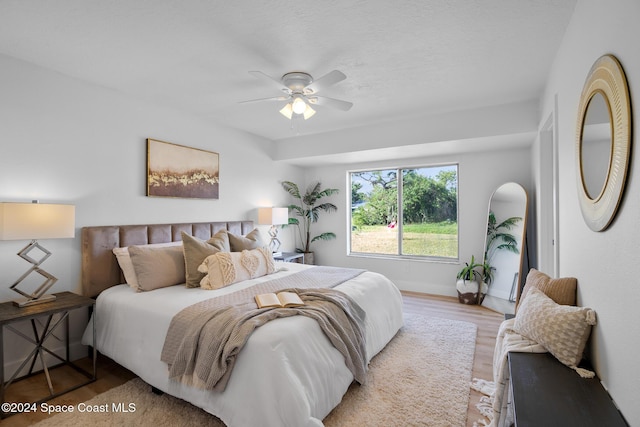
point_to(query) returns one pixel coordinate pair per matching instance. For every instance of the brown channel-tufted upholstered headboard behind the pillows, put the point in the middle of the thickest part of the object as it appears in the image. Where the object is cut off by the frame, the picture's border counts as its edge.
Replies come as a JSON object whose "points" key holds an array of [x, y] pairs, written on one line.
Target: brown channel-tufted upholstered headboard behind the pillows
{"points": [[100, 269]]}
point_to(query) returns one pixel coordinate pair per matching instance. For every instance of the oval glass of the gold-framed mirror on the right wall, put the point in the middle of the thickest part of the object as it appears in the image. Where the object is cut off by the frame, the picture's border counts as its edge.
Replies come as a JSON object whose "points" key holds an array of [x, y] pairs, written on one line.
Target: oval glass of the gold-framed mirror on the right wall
{"points": [[595, 150]]}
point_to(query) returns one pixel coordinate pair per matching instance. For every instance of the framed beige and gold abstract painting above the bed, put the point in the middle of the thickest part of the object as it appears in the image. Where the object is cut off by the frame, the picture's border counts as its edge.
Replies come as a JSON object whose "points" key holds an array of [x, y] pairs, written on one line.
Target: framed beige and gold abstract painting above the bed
{"points": [[182, 172]]}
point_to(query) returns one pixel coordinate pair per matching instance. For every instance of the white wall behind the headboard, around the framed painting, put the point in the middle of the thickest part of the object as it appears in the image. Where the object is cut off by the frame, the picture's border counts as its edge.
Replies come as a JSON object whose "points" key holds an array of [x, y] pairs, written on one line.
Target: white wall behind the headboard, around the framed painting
{"points": [[64, 141]]}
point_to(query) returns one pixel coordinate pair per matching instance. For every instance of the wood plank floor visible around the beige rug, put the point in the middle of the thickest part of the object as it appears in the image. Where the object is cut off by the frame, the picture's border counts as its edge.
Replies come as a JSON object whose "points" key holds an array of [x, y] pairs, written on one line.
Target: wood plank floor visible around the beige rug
{"points": [[112, 375]]}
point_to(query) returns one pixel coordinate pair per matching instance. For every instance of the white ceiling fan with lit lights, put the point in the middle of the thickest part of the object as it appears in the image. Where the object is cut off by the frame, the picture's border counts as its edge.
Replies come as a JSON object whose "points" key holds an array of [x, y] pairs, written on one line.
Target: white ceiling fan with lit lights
{"points": [[300, 91]]}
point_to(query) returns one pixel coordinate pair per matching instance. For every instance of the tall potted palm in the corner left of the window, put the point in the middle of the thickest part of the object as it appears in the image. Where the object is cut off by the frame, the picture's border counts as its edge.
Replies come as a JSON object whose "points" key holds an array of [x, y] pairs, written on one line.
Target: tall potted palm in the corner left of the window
{"points": [[309, 211]]}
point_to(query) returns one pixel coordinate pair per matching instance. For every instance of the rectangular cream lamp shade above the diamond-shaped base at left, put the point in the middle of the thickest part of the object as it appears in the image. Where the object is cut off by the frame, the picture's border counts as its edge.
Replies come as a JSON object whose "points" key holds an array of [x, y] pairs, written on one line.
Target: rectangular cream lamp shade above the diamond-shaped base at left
{"points": [[31, 221]]}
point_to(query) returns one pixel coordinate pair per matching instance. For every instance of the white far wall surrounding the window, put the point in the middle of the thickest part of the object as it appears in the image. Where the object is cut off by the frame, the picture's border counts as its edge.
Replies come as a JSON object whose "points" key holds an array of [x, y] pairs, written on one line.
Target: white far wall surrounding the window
{"points": [[480, 173]]}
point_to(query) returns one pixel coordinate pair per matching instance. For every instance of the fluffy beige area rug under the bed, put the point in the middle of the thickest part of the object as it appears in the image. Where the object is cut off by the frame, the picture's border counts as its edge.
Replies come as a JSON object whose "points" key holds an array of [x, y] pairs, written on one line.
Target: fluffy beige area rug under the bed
{"points": [[420, 379]]}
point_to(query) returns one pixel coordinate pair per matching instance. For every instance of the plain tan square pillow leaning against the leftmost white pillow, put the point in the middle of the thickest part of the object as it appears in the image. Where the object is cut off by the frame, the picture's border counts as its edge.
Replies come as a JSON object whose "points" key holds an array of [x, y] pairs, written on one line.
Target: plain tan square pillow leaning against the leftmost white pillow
{"points": [[157, 267]]}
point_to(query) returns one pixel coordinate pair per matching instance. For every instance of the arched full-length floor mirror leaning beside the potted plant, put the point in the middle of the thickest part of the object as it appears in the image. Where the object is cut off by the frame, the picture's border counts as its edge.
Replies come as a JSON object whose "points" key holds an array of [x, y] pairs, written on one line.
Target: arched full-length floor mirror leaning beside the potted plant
{"points": [[505, 245]]}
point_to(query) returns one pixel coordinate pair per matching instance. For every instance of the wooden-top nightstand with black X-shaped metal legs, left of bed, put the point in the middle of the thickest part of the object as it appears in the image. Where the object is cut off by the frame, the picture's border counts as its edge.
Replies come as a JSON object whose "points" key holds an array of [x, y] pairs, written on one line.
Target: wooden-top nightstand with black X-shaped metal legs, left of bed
{"points": [[64, 303]]}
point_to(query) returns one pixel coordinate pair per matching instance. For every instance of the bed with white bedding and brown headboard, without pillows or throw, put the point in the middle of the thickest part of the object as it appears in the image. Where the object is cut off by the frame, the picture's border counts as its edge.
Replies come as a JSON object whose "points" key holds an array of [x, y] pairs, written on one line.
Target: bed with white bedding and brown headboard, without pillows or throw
{"points": [[288, 373]]}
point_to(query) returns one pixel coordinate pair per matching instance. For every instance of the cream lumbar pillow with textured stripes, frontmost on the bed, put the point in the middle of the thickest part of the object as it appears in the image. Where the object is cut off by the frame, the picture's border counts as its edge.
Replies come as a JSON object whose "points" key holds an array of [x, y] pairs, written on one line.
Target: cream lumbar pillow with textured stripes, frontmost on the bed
{"points": [[225, 268]]}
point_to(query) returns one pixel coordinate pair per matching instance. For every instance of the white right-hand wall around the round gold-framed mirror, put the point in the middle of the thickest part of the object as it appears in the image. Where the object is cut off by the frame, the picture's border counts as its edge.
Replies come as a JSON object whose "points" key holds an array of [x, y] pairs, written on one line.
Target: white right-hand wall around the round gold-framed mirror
{"points": [[604, 262]]}
